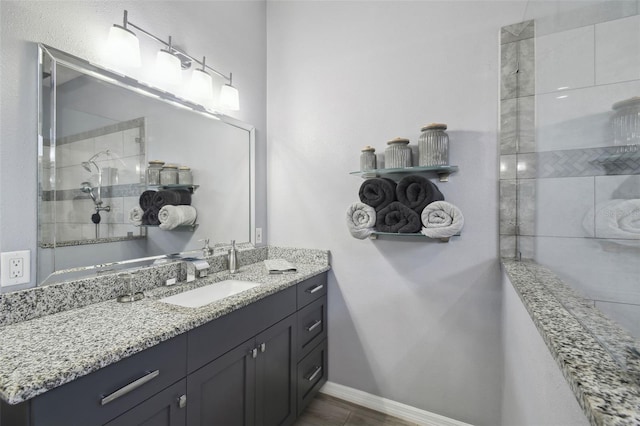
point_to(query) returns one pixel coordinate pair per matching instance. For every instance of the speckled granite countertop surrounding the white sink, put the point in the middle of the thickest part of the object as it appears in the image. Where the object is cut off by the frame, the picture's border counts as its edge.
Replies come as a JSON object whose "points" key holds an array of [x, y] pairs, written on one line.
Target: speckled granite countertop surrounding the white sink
{"points": [[43, 353]]}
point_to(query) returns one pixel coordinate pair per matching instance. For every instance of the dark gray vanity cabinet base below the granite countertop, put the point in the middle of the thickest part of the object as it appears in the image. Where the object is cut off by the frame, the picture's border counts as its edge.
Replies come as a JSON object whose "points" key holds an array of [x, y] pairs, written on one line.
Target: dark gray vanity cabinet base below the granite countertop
{"points": [[258, 365]]}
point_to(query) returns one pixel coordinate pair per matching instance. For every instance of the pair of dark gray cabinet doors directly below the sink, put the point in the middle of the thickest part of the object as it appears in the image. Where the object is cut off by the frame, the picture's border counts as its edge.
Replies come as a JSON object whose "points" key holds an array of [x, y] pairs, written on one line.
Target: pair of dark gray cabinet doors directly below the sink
{"points": [[252, 384]]}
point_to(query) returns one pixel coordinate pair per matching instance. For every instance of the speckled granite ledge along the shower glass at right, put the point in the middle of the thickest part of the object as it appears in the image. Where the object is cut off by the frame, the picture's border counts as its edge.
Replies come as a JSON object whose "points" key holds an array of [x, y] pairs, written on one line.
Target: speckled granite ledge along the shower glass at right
{"points": [[607, 394]]}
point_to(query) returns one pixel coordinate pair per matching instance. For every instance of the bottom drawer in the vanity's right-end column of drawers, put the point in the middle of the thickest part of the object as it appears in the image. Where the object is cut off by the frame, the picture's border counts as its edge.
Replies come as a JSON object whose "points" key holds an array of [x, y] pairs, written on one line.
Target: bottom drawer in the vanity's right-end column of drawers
{"points": [[312, 374]]}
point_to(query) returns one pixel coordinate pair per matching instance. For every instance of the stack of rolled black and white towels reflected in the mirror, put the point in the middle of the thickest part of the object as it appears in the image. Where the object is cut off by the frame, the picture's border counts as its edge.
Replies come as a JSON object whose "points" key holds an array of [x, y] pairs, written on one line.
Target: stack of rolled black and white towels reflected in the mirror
{"points": [[167, 209]]}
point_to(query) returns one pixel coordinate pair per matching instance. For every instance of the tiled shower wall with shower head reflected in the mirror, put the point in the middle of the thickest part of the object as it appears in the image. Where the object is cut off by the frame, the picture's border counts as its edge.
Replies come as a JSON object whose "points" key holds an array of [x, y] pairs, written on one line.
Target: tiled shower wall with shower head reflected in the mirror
{"points": [[121, 177]]}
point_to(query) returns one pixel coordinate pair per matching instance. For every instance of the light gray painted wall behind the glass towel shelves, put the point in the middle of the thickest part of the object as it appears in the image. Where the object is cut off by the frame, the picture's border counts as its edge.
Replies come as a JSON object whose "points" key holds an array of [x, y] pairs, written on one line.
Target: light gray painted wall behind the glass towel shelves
{"points": [[412, 321]]}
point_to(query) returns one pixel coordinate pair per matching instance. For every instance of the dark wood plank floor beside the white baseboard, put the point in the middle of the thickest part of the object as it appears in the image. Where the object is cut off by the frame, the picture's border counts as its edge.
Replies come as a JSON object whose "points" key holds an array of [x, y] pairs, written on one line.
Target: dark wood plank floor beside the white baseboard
{"points": [[325, 410]]}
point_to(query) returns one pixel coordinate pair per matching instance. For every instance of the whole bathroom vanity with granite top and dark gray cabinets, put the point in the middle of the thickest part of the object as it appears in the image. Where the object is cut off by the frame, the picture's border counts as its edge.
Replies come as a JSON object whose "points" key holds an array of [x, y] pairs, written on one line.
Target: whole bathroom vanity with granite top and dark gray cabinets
{"points": [[257, 357]]}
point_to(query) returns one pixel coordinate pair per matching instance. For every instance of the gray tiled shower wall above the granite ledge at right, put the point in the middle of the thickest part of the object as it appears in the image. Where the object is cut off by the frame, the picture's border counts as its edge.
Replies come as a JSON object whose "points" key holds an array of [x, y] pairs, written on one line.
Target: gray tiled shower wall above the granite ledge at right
{"points": [[573, 166]]}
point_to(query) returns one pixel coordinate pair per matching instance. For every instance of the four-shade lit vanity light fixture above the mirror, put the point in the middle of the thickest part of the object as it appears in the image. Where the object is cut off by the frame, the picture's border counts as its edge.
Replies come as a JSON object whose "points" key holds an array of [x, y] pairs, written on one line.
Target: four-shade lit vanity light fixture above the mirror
{"points": [[124, 50]]}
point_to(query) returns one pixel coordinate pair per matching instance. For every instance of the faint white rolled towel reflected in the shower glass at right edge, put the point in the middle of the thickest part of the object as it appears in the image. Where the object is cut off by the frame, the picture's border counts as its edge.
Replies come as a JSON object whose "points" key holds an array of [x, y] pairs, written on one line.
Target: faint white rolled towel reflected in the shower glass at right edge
{"points": [[615, 219]]}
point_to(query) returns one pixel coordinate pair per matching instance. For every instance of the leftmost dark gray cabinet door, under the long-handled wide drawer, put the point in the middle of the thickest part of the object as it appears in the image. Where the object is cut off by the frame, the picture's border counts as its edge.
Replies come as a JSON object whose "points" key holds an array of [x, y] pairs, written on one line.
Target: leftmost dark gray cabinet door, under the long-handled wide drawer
{"points": [[164, 409]]}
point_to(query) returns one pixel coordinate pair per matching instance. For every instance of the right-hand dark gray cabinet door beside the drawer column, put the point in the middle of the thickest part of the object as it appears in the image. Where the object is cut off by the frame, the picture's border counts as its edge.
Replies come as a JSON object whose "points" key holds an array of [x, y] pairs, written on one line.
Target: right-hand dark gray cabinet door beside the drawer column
{"points": [[275, 374]]}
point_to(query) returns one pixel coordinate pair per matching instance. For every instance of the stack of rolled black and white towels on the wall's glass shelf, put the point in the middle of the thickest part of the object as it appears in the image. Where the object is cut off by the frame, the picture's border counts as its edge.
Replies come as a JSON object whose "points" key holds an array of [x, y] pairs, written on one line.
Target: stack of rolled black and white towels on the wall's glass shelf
{"points": [[413, 205]]}
